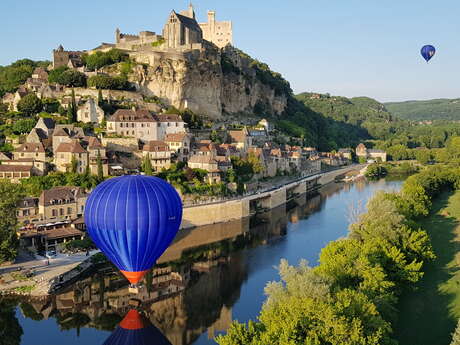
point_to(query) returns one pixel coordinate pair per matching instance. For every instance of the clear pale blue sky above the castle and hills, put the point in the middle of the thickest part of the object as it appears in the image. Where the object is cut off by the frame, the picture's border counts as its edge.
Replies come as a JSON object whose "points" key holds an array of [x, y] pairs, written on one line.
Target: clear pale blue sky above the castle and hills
{"points": [[350, 48]]}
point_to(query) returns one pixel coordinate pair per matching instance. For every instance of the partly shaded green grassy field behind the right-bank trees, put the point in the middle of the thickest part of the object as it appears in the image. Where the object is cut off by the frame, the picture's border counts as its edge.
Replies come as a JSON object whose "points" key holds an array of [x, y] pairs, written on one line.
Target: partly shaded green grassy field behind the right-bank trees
{"points": [[428, 315]]}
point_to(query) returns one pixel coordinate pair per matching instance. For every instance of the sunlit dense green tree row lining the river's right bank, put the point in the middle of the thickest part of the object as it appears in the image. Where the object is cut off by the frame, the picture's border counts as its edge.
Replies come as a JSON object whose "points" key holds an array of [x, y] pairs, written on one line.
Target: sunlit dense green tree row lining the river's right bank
{"points": [[351, 296]]}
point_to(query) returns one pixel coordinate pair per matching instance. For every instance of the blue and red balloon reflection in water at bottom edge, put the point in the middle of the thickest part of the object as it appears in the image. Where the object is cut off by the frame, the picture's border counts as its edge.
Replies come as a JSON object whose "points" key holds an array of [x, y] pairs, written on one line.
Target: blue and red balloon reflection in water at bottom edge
{"points": [[136, 330]]}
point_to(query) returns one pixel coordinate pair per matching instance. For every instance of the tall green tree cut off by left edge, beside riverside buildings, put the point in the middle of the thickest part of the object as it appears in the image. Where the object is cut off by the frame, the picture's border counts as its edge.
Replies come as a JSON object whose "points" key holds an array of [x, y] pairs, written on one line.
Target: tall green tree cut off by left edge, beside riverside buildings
{"points": [[10, 195]]}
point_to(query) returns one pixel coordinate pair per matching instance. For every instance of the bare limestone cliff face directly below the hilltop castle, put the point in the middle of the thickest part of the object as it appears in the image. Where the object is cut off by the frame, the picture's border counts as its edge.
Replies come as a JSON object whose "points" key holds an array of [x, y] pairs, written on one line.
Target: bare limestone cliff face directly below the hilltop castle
{"points": [[211, 82]]}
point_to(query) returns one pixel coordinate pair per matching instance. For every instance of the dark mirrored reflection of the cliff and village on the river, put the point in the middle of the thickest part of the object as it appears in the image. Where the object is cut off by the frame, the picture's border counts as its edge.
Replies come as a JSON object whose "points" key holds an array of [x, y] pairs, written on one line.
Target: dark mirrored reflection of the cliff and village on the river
{"points": [[193, 289]]}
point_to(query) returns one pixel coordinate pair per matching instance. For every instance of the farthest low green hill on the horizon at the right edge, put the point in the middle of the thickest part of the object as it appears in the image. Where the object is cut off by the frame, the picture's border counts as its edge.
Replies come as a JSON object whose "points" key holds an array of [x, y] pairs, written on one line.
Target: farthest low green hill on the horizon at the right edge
{"points": [[435, 109]]}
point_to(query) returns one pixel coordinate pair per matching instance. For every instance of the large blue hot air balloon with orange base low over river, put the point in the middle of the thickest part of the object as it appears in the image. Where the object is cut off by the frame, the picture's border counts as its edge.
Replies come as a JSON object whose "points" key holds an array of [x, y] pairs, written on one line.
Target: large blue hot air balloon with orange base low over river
{"points": [[132, 220]]}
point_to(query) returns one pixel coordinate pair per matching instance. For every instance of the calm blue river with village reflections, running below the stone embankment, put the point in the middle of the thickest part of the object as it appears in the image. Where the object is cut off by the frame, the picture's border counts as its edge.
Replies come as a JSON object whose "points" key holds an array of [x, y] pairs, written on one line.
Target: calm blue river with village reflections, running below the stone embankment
{"points": [[209, 277]]}
